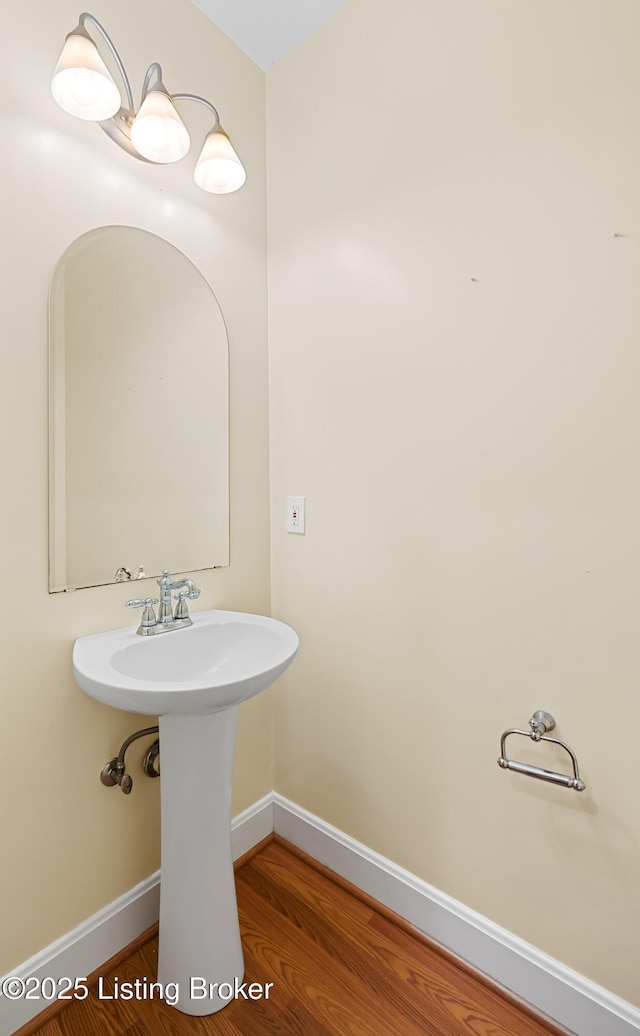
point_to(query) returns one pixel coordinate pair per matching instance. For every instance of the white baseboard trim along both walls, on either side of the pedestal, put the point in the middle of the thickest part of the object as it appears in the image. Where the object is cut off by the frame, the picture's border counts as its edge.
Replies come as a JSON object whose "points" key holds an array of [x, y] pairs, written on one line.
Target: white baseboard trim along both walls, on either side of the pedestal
{"points": [[530, 975]]}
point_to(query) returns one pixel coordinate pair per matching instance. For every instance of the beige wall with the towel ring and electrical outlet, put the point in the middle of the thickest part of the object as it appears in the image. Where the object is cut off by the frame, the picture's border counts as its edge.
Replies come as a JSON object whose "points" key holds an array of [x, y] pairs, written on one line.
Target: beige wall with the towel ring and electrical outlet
{"points": [[454, 377]]}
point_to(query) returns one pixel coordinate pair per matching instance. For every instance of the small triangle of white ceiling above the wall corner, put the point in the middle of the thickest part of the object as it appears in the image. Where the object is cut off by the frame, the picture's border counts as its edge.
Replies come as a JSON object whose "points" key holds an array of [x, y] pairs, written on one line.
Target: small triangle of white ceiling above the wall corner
{"points": [[269, 30]]}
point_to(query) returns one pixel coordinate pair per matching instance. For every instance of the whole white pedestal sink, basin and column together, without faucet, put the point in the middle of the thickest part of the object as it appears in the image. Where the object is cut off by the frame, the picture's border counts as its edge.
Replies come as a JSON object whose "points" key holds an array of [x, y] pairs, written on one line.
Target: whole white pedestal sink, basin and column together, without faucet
{"points": [[194, 680]]}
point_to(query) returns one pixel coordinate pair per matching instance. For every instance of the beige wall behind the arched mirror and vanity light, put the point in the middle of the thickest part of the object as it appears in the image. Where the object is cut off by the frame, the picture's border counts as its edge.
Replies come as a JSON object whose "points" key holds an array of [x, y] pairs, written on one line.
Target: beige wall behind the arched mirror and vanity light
{"points": [[69, 845]]}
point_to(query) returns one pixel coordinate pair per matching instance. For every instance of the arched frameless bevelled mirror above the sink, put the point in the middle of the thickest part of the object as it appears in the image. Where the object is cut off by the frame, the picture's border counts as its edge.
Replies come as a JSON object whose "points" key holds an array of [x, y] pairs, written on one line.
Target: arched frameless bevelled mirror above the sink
{"points": [[139, 413]]}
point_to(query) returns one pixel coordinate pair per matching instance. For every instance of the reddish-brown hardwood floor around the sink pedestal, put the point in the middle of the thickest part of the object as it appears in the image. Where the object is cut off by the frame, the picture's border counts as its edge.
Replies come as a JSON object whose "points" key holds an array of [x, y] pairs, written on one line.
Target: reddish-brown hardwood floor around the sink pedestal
{"points": [[340, 966]]}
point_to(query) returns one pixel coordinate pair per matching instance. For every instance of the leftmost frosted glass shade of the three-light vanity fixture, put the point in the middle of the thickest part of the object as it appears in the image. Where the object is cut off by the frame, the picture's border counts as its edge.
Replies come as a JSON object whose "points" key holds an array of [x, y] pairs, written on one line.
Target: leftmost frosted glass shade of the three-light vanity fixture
{"points": [[82, 84]]}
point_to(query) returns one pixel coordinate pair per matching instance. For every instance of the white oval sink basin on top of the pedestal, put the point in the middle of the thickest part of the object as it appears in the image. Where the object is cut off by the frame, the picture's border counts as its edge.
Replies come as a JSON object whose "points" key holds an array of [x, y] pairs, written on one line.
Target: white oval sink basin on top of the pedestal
{"points": [[223, 659]]}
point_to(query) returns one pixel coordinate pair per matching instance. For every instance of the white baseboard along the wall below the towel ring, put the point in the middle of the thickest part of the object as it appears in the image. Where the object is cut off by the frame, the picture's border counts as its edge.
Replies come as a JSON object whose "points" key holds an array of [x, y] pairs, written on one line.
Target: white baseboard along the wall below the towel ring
{"points": [[548, 987]]}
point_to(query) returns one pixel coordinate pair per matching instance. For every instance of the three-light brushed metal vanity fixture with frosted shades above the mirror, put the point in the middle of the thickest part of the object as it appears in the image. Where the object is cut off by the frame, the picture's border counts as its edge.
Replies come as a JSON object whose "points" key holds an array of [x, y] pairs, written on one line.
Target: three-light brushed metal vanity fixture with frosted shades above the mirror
{"points": [[84, 88]]}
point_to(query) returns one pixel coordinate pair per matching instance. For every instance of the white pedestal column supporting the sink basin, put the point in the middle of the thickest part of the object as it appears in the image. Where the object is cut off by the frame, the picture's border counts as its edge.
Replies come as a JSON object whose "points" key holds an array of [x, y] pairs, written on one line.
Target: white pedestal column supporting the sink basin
{"points": [[199, 932]]}
